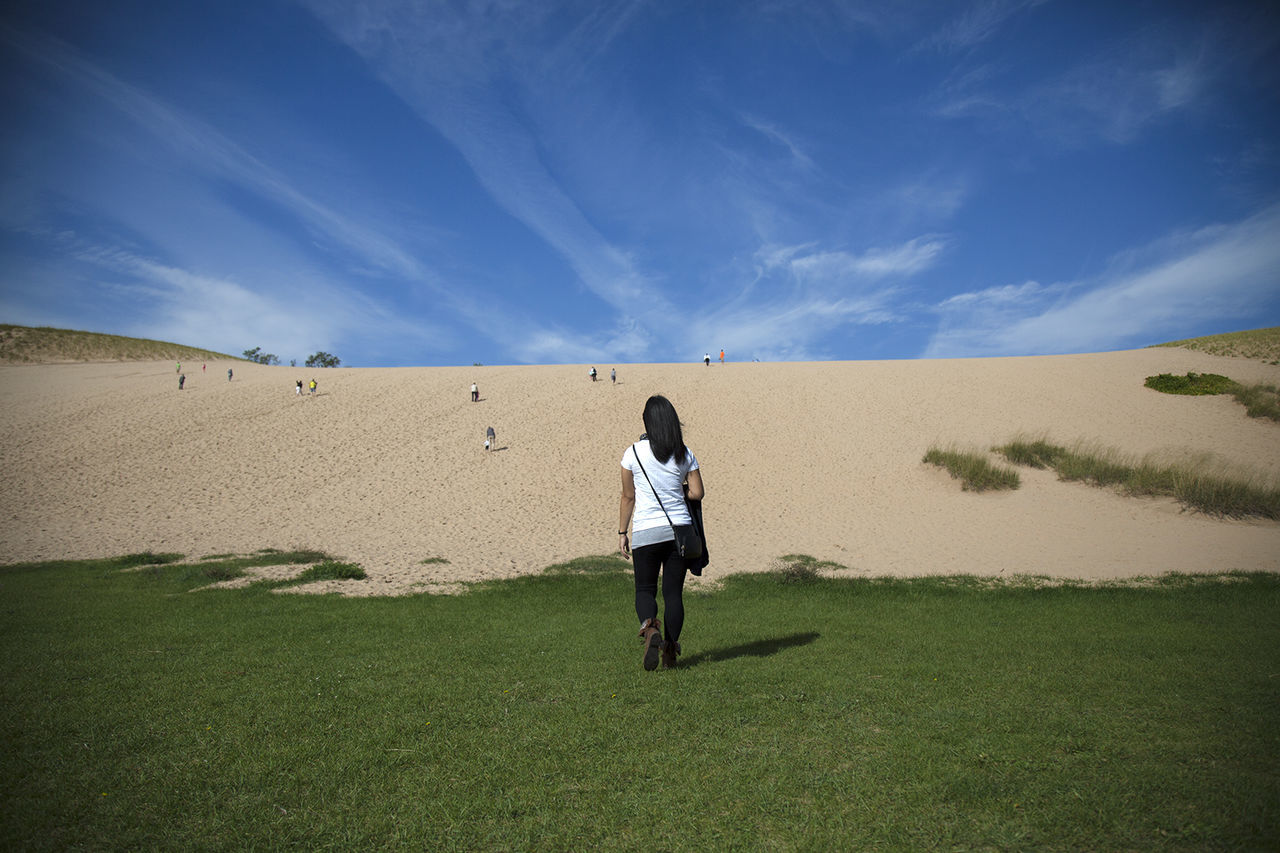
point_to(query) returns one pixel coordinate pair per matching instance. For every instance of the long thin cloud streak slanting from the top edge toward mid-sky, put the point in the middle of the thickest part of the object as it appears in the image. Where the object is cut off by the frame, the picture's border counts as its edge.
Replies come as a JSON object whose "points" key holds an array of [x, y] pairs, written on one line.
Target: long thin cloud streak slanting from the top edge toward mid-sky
{"points": [[454, 67]]}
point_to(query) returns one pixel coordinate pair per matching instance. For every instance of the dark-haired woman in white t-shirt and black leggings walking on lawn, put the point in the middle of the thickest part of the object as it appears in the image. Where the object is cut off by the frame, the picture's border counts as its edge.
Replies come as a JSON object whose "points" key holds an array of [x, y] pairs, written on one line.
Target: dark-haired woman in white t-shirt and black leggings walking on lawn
{"points": [[662, 460]]}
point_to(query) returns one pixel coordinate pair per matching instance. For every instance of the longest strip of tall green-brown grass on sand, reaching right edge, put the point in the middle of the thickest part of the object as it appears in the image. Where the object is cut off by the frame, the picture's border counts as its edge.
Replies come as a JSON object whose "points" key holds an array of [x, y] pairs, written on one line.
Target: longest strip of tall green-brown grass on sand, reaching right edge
{"points": [[1199, 482]]}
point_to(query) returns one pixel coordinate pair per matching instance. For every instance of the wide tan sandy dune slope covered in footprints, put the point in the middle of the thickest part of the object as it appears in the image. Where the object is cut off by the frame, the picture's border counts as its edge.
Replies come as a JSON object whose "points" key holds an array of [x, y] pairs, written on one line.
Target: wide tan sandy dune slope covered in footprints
{"points": [[386, 468]]}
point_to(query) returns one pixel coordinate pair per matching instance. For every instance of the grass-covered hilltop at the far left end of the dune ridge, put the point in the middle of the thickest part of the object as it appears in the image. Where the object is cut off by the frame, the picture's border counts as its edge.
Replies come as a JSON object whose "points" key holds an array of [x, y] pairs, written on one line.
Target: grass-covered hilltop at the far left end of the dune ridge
{"points": [[45, 345]]}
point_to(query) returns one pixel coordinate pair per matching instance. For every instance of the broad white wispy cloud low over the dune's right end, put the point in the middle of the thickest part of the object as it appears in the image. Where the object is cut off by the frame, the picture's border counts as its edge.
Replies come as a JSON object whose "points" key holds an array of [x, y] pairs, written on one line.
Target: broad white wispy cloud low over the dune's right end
{"points": [[1228, 273]]}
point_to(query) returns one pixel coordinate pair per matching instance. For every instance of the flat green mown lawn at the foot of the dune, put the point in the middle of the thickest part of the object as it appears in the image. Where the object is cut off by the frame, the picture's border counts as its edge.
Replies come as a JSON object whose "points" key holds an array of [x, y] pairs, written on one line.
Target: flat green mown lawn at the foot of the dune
{"points": [[835, 714]]}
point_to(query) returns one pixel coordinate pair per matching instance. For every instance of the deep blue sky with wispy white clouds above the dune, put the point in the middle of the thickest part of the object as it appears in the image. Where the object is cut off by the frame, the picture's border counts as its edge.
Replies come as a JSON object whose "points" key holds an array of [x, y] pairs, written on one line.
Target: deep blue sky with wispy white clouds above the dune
{"points": [[429, 184]]}
